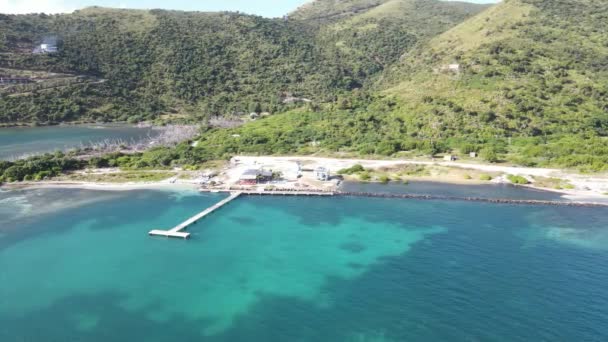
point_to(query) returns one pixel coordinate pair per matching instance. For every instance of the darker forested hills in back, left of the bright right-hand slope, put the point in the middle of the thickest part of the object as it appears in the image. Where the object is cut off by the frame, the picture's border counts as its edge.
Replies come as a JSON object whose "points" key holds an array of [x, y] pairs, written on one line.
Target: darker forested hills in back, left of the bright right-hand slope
{"points": [[205, 64]]}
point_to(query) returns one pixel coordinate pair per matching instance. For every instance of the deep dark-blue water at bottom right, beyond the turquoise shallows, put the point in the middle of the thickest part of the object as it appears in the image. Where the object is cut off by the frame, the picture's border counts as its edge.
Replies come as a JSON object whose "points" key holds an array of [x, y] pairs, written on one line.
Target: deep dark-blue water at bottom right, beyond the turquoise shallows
{"points": [[474, 285]]}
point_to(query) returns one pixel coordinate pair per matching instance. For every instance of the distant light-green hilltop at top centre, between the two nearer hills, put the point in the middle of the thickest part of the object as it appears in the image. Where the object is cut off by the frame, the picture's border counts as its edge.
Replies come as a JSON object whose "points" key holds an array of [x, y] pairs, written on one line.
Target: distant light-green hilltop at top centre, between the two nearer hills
{"points": [[369, 40]]}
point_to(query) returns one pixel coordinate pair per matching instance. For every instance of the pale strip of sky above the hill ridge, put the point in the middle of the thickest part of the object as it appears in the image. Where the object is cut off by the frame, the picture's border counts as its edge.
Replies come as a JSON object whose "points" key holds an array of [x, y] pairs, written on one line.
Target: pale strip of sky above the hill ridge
{"points": [[267, 8]]}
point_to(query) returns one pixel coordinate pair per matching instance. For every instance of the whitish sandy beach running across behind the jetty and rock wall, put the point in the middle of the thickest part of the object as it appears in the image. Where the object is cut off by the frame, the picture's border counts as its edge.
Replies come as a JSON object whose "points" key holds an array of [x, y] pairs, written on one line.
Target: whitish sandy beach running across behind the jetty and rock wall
{"points": [[581, 187]]}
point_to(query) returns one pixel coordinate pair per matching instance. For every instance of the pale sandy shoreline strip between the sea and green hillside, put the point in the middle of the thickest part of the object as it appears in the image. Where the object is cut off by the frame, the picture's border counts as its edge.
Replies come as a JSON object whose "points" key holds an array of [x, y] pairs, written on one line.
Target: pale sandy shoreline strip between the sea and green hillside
{"points": [[587, 188]]}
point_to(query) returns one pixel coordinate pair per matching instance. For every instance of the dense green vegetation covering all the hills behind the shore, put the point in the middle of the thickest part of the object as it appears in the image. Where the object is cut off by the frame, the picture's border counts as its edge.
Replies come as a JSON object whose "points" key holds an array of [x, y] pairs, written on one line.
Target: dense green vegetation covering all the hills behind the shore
{"points": [[530, 85]]}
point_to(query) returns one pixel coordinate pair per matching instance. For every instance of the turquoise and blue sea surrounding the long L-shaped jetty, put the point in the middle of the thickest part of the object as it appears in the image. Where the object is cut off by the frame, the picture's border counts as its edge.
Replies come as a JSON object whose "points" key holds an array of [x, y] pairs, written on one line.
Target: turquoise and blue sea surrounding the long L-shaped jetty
{"points": [[298, 269]]}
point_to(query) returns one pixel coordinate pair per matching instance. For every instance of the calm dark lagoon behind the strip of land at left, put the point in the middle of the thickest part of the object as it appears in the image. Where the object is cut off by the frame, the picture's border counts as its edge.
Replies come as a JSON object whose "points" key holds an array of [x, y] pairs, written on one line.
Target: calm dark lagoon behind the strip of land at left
{"points": [[18, 141]]}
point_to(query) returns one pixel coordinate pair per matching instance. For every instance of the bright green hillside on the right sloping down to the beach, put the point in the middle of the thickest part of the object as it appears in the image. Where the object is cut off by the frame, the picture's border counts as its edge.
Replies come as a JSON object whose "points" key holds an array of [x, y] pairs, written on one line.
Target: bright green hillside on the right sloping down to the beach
{"points": [[524, 81]]}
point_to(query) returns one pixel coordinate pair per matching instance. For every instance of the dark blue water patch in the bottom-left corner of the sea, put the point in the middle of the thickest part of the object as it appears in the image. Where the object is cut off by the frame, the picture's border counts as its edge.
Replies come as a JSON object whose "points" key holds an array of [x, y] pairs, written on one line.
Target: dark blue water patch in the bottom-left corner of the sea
{"points": [[95, 318]]}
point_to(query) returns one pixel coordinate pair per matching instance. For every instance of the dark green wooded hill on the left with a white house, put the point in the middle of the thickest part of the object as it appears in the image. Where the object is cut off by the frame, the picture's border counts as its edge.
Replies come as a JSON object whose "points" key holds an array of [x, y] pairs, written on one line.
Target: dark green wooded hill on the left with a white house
{"points": [[157, 62]]}
